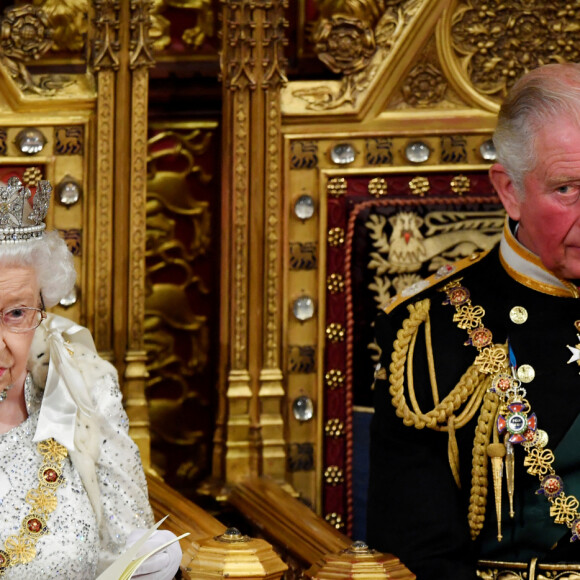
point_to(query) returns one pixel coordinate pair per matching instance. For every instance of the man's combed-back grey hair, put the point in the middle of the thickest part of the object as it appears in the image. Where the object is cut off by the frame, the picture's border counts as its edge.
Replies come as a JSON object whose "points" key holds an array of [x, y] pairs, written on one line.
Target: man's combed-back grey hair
{"points": [[535, 99]]}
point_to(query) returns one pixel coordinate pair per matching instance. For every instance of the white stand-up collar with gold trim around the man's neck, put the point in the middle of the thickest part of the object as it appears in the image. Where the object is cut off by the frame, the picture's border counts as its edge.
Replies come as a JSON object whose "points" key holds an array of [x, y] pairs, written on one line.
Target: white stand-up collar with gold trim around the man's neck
{"points": [[527, 268]]}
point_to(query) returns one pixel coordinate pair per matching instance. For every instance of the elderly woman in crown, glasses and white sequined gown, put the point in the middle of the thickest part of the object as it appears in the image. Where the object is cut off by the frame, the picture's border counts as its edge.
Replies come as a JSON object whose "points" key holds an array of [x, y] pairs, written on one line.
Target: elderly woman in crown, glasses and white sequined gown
{"points": [[72, 489]]}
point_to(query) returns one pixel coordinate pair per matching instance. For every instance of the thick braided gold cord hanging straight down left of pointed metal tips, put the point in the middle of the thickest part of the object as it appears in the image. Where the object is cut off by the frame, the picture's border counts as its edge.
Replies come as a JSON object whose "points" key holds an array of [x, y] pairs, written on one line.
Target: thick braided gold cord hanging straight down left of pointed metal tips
{"points": [[479, 463]]}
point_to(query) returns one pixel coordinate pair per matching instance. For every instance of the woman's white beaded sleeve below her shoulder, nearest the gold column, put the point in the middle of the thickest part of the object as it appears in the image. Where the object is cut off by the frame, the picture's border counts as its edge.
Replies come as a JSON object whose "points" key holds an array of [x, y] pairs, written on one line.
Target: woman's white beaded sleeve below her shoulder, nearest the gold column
{"points": [[120, 476]]}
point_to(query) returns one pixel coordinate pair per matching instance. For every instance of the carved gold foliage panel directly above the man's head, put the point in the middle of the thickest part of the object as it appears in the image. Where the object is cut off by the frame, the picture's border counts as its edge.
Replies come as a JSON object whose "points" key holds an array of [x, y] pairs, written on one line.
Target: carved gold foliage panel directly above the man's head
{"points": [[499, 41]]}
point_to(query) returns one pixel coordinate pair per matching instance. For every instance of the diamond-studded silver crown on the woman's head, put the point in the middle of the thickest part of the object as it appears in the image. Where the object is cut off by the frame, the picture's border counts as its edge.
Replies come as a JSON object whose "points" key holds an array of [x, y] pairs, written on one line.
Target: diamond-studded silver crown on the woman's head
{"points": [[20, 220]]}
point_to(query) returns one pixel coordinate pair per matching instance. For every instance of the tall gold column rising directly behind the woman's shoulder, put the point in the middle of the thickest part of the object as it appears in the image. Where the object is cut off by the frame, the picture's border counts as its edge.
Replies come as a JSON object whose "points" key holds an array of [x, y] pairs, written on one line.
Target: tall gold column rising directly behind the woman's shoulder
{"points": [[121, 57]]}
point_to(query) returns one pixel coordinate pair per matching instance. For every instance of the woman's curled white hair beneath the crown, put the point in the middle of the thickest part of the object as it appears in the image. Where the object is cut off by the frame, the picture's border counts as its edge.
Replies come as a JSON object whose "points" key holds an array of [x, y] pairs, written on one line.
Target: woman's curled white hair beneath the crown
{"points": [[50, 258]]}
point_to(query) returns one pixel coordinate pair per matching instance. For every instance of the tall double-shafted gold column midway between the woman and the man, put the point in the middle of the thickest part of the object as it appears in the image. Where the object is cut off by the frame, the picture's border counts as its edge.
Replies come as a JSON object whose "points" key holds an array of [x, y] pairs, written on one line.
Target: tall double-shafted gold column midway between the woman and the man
{"points": [[249, 437]]}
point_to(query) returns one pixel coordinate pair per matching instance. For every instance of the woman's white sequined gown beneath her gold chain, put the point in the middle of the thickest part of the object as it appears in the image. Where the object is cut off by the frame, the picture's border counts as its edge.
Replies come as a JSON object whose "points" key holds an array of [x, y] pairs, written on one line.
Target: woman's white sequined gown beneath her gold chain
{"points": [[72, 548]]}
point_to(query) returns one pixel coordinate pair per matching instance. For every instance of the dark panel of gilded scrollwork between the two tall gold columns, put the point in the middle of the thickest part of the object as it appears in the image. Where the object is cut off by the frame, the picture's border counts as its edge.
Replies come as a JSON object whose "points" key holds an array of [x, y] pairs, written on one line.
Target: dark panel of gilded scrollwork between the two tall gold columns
{"points": [[177, 332]]}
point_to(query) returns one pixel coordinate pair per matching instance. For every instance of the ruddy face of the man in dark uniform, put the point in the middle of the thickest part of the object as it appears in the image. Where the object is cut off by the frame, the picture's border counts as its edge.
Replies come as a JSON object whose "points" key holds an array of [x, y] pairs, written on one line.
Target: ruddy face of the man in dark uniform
{"points": [[549, 211]]}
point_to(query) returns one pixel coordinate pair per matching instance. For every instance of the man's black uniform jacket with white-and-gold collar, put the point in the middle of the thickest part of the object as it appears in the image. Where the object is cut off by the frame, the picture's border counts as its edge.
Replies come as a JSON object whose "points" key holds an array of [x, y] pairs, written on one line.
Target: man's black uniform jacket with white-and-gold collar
{"points": [[418, 508]]}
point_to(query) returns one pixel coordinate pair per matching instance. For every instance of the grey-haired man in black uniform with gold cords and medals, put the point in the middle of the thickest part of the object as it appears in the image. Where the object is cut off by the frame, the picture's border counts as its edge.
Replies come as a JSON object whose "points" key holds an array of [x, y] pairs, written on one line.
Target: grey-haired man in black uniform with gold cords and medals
{"points": [[475, 441]]}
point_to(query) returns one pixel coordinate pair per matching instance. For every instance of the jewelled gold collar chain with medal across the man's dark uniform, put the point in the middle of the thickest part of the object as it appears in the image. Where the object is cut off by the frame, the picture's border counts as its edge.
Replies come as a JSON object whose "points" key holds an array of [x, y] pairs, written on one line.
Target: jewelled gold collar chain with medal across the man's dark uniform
{"points": [[515, 420]]}
